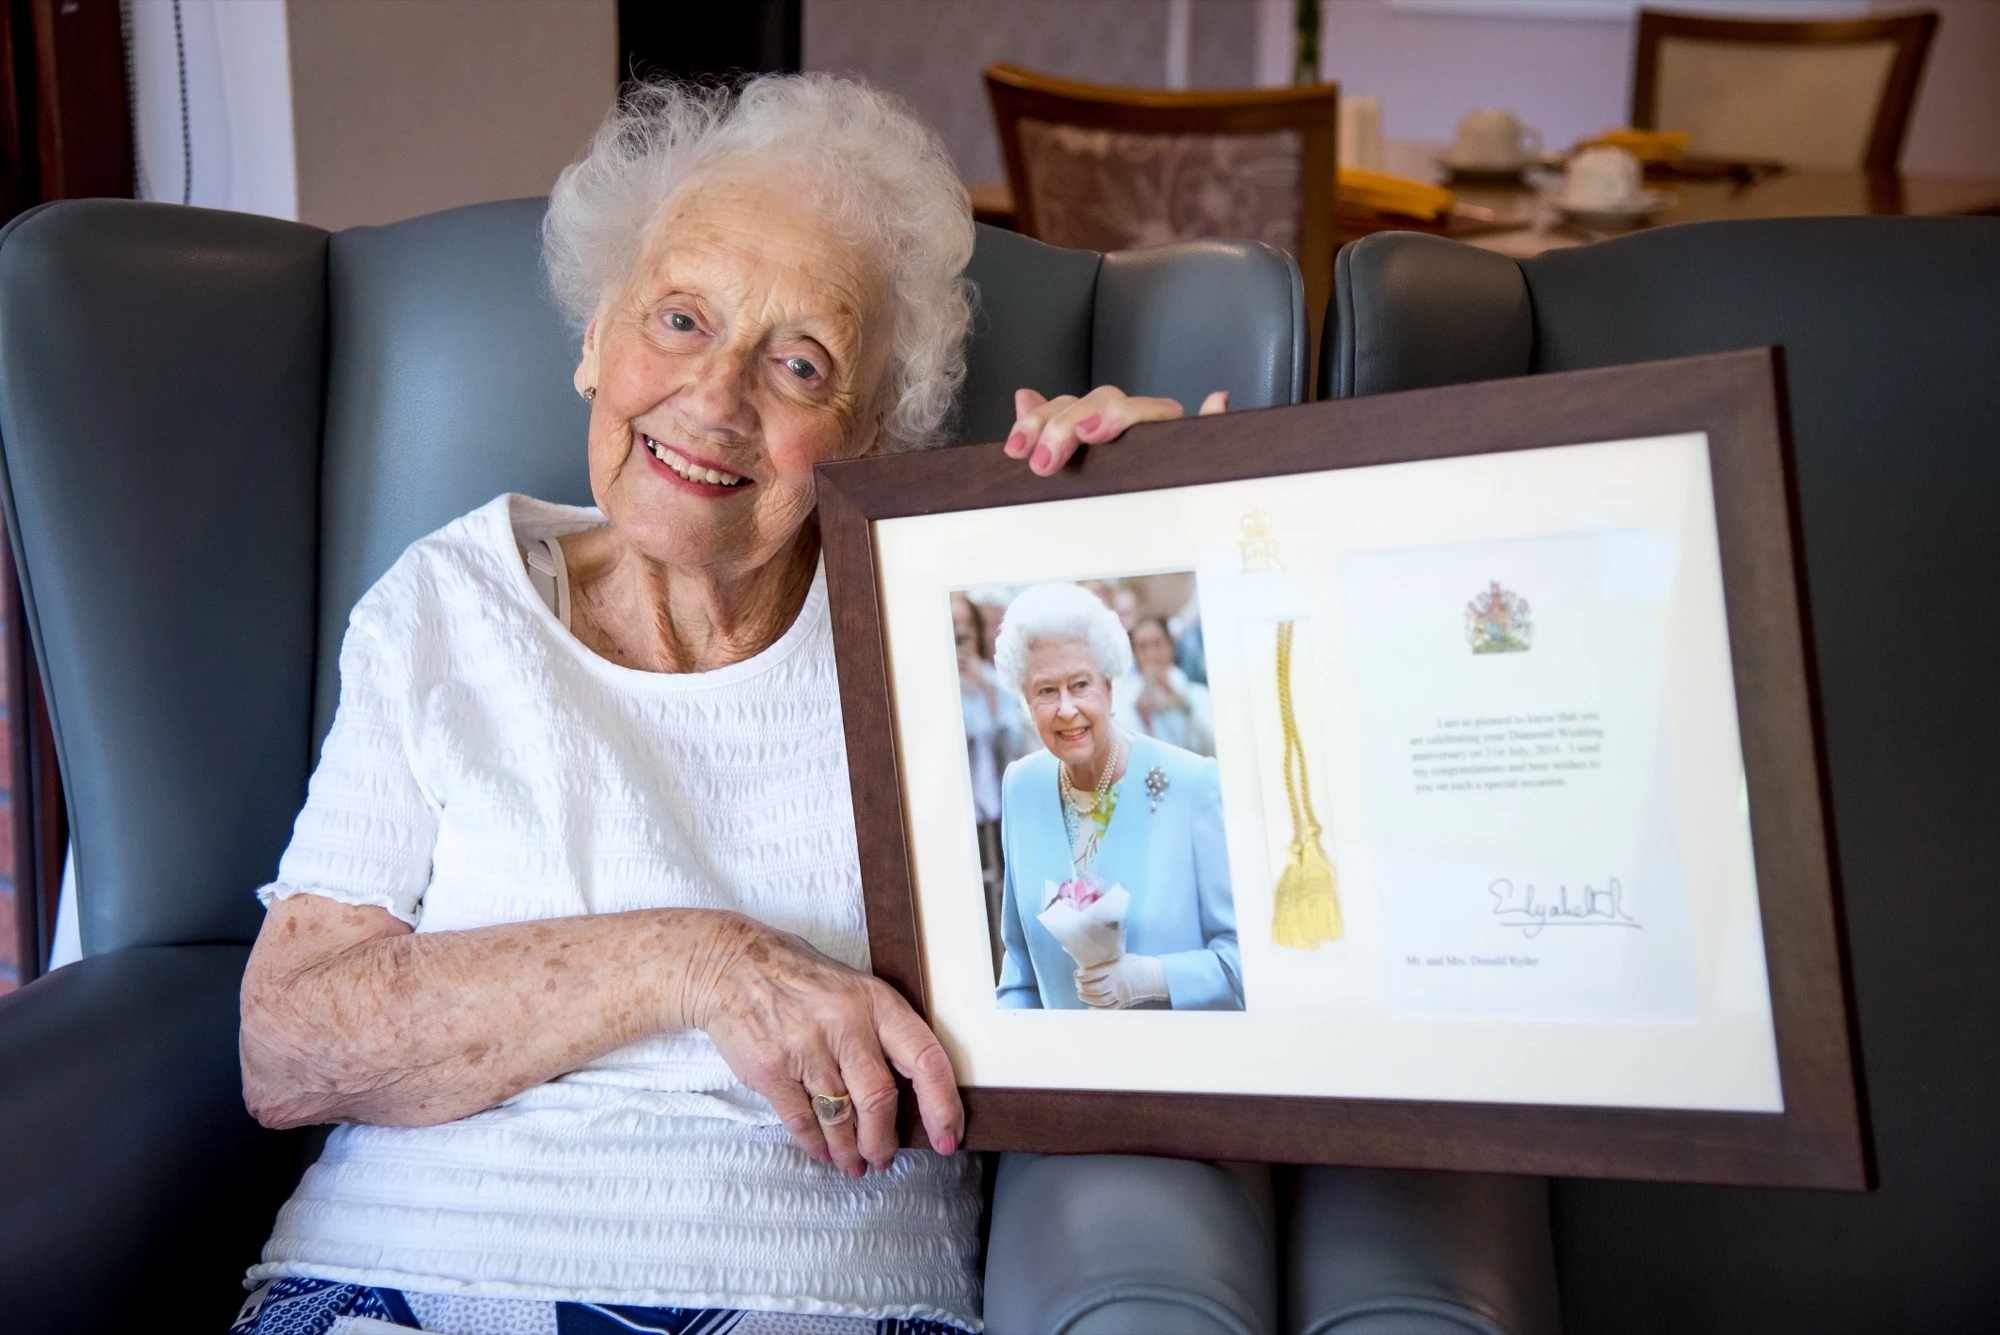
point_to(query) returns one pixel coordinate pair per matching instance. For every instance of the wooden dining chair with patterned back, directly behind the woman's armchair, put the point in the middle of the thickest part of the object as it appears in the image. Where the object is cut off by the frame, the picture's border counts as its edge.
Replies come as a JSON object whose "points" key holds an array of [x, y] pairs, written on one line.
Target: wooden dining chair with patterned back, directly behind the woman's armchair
{"points": [[1117, 169]]}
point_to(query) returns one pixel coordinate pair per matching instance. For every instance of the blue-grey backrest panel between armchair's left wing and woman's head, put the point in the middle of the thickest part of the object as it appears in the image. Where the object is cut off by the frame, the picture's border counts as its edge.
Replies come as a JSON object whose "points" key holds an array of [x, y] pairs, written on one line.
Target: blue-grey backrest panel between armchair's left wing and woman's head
{"points": [[447, 385]]}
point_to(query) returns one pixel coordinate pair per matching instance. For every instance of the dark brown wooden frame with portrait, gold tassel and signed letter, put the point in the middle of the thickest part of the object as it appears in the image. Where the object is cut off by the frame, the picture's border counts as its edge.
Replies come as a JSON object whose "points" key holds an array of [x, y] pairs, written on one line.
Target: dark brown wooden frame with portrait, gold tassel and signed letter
{"points": [[1425, 780]]}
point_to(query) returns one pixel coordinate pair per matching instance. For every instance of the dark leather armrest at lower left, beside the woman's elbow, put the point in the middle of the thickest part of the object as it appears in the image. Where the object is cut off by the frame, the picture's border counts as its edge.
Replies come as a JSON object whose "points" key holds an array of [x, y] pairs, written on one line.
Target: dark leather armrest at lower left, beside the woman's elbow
{"points": [[127, 1160]]}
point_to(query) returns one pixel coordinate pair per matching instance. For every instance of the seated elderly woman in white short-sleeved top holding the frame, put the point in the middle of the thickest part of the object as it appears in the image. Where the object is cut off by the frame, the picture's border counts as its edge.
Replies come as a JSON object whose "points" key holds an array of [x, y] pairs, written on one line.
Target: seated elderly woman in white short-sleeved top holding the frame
{"points": [[569, 936]]}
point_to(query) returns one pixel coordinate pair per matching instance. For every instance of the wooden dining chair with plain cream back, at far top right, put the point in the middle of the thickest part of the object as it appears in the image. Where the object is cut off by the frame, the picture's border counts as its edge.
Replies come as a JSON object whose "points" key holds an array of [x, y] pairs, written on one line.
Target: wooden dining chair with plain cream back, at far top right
{"points": [[1811, 95]]}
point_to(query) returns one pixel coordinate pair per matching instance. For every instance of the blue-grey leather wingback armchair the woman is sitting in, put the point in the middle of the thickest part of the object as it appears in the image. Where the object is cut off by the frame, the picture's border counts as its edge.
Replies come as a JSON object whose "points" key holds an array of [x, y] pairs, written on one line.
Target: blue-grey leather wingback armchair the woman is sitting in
{"points": [[217, 431]]}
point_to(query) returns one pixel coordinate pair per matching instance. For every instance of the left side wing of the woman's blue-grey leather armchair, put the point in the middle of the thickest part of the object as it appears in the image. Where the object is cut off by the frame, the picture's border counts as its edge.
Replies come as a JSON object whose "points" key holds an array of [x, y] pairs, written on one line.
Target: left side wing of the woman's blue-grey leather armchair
{"points": [[161, 393]]}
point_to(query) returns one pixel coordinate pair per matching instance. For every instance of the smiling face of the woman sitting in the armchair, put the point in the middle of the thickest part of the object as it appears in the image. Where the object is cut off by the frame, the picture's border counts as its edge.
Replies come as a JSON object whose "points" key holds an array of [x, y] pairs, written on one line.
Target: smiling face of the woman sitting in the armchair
{"points": [[741, 355]]}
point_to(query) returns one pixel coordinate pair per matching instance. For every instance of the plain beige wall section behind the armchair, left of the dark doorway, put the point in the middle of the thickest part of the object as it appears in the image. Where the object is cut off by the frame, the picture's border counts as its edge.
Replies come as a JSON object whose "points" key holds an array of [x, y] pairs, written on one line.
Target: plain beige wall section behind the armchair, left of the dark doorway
{"points": [[407, 107]]}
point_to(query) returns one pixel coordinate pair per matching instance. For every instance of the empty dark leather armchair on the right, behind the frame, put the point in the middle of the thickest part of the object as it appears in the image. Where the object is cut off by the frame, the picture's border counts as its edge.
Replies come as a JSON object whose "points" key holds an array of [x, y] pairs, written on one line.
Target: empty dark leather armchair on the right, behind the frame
{"points": [[1891, 333]]}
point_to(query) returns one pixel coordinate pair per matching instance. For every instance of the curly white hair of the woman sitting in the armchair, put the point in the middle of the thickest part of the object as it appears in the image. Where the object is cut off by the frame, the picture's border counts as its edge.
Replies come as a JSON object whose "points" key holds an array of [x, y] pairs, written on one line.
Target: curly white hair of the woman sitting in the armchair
{"points": [[881, 179]]}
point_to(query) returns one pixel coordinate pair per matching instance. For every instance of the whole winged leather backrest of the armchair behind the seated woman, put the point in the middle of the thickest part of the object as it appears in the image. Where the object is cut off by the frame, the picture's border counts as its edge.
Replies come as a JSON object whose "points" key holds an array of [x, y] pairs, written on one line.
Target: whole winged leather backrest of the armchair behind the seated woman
{"points": [[219, 431]]}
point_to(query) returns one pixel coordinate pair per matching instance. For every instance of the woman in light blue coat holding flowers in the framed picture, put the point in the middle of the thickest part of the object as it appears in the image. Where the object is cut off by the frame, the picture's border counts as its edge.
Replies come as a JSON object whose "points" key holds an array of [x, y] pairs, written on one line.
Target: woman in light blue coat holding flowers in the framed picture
{"points": [[1103, 808]]}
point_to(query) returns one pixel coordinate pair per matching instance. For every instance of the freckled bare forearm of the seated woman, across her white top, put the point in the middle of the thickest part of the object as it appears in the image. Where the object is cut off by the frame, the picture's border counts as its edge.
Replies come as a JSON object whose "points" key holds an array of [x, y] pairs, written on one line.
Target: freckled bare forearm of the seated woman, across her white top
{"points": [[423, 1028]]}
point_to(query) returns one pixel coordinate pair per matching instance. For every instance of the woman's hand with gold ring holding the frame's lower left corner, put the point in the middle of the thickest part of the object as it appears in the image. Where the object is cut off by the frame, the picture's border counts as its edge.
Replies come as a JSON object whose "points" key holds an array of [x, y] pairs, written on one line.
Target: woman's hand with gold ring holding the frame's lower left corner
{"points": [[793, 1024]]}
